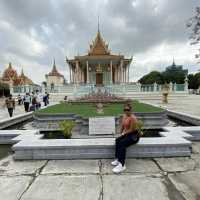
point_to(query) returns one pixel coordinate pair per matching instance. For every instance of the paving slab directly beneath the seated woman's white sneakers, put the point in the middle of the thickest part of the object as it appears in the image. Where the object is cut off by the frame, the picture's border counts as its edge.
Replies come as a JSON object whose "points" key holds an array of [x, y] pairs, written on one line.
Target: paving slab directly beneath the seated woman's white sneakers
{"points": [[132, 166]]}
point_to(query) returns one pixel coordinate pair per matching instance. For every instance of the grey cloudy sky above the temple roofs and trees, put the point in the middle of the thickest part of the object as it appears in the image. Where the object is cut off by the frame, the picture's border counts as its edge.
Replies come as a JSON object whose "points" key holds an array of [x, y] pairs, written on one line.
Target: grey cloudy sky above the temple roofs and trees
{"points": [[33, 32]]}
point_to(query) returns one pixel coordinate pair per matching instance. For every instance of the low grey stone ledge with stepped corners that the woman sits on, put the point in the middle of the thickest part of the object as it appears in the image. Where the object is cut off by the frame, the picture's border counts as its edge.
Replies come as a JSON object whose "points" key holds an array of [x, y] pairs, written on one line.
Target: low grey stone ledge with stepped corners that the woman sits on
{"points": [[30, 145]]}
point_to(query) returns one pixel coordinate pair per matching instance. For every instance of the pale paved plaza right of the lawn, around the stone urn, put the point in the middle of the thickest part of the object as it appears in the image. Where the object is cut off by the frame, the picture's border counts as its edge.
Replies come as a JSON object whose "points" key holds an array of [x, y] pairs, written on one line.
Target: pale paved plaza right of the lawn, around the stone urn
{"points": [[188, 104]]}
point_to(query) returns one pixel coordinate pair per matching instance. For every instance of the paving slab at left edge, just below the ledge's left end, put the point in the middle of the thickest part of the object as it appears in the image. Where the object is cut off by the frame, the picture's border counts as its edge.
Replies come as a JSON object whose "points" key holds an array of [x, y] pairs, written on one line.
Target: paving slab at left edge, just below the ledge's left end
{"points": [[10, 167]]}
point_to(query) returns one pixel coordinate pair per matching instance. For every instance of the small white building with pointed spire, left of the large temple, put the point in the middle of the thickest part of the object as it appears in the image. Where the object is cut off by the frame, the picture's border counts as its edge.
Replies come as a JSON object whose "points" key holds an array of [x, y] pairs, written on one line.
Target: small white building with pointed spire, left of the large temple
{"points": [[54, 78]]}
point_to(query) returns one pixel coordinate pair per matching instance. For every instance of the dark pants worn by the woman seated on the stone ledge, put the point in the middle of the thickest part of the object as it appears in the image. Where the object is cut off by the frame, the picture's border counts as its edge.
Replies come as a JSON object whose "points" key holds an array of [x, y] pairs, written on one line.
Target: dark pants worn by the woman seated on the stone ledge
{"points": [[122, 142]]}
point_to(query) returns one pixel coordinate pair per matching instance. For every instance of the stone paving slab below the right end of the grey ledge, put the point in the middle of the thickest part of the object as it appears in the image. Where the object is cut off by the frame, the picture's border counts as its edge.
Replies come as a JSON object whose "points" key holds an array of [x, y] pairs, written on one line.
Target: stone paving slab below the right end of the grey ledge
{"points": [[176, 164]]}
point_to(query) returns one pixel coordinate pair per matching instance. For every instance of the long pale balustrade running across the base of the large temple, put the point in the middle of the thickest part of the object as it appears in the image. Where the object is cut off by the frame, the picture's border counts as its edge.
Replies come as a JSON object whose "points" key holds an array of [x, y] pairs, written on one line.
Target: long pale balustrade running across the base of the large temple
{"points": [[121, 89]]}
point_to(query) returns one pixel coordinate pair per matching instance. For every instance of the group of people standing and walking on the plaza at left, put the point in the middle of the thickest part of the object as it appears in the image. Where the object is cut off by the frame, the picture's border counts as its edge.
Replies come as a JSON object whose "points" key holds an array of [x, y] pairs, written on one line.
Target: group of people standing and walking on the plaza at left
{"points": [[31, 101]]}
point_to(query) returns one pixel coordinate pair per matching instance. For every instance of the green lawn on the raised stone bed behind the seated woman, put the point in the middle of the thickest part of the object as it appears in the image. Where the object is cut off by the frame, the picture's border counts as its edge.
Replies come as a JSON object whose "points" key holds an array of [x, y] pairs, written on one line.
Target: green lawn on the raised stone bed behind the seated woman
{"points": [[89, 110]]}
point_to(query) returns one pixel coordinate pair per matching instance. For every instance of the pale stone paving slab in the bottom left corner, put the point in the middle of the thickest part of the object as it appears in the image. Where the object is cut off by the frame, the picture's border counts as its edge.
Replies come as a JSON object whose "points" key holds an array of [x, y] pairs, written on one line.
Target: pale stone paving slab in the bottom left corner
{"points": [[11, 188]]}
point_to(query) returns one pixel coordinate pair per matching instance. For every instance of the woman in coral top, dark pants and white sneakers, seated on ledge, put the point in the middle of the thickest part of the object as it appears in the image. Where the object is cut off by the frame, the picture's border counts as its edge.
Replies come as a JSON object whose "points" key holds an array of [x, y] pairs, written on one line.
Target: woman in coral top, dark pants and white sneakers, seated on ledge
{"points": [[129, 136]]}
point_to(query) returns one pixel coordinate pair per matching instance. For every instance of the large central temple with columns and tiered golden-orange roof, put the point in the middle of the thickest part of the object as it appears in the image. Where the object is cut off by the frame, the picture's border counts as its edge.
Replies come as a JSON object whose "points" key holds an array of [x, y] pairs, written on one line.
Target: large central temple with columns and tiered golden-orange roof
{"points": [[99, 66]]}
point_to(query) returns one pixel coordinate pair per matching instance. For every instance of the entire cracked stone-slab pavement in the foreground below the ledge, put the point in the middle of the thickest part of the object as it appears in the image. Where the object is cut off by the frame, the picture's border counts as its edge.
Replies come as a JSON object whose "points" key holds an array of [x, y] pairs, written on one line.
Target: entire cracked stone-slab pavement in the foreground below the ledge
{"points": [[144, 179]]}
